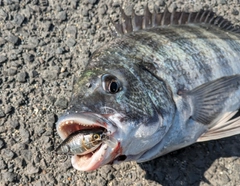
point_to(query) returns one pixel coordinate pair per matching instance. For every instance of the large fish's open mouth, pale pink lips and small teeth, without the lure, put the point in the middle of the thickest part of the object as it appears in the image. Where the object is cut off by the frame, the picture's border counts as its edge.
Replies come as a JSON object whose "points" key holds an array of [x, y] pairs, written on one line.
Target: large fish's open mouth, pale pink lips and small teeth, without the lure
{"points": [[104, 154]]}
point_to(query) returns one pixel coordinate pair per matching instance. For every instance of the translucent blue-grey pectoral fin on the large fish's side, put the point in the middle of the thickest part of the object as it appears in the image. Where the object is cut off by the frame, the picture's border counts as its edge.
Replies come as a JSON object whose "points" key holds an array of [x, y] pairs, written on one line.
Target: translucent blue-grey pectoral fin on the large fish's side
{"points": [[208, 99]]}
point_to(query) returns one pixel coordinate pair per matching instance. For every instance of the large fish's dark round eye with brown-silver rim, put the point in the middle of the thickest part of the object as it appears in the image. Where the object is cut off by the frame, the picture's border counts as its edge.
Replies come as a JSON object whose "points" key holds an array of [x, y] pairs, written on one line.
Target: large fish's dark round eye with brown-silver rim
{"points": [[111, 84]]}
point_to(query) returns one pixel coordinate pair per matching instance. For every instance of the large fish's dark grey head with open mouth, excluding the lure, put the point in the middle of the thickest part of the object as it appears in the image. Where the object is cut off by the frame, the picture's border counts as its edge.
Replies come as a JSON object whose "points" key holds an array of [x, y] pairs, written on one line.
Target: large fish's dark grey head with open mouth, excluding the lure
{"points": [[116, 100]]}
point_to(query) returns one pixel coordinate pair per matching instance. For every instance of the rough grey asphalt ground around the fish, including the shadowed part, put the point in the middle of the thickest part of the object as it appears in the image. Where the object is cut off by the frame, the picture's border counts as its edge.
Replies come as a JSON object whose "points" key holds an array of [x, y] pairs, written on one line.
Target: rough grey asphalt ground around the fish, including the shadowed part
{"points": [[43, 44]]}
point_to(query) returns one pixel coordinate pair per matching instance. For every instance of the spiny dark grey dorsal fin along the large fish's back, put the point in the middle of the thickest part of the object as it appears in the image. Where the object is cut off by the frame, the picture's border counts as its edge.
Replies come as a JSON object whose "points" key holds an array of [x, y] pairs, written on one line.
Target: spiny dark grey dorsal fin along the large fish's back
{"points": [[131, 23]]}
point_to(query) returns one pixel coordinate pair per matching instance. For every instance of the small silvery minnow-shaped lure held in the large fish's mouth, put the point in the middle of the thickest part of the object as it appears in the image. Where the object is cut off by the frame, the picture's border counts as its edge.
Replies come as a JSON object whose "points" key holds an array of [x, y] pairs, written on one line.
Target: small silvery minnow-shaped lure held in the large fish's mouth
{"points": [[82, 142]]}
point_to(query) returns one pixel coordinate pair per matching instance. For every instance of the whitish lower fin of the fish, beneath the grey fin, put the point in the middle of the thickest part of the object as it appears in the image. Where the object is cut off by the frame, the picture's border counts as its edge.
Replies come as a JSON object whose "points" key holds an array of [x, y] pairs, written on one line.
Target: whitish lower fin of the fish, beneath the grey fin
{"points": [[226, 127]]}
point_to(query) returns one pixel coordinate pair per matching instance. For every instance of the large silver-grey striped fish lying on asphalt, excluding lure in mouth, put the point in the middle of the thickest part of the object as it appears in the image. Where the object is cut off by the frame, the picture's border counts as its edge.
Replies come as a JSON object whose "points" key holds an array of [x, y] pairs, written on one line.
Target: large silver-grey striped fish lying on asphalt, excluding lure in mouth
{"points": [[165, 81]]}
